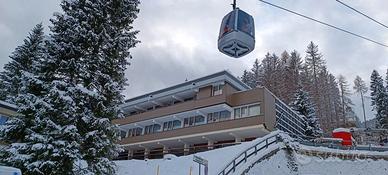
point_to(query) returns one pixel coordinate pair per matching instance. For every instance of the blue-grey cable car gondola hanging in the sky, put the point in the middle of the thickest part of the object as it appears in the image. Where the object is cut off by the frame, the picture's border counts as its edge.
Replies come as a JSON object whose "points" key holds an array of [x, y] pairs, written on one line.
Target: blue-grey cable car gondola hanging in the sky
{"points": [[237, 33]]}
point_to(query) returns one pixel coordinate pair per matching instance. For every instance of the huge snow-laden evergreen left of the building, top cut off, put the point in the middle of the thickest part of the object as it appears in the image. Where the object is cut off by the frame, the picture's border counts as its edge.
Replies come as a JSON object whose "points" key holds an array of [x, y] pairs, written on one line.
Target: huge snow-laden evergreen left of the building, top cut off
{"points": [[67, 127]]}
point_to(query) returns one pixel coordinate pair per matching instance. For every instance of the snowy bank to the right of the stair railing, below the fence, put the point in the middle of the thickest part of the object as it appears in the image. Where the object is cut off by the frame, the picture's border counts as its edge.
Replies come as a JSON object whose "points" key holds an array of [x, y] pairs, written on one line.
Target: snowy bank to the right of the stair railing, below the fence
{"points": [[310, 165]]}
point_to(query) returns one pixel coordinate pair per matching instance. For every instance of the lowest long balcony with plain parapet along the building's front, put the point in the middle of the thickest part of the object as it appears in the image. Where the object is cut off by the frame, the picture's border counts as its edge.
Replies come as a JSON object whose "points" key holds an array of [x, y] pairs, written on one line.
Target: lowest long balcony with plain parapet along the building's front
{"points": [[223, 130]]}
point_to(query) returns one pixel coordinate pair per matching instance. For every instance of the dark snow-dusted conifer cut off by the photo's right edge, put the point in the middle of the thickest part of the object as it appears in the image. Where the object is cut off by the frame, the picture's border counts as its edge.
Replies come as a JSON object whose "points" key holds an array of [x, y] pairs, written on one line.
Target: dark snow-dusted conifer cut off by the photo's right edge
{"points": [[379, 99]]}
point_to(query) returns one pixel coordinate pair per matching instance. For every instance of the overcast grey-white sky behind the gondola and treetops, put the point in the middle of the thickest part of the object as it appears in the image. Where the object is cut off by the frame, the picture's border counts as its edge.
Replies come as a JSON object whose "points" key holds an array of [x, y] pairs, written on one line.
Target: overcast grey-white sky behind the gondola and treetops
{"points": [[179, 37]]}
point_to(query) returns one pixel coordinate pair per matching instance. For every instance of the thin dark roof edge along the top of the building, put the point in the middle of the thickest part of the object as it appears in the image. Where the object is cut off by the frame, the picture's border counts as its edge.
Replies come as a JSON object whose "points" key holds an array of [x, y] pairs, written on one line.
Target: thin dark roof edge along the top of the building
{"points": [[224, 72]]}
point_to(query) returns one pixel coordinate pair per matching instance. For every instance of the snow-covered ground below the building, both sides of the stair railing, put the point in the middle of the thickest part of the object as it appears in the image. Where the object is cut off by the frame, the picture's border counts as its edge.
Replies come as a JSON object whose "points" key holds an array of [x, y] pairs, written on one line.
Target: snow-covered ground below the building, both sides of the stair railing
{"points": [[279, 164]]}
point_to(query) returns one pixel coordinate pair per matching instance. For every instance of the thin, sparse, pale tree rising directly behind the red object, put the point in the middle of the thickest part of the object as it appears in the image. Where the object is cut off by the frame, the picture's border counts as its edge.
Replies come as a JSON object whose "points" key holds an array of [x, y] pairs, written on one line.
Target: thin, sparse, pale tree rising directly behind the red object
{"points": [[346, 102]]}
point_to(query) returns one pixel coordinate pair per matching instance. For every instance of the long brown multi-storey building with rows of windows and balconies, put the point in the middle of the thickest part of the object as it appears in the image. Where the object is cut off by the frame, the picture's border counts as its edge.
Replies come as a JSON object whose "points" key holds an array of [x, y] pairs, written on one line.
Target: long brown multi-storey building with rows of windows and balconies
{"points": [[206, 113]]}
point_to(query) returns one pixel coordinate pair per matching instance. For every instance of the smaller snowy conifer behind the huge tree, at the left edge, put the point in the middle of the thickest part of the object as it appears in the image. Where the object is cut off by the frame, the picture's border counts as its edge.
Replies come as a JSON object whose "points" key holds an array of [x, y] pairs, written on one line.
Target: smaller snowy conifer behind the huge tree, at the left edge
{"points": [[21, 60]]}
